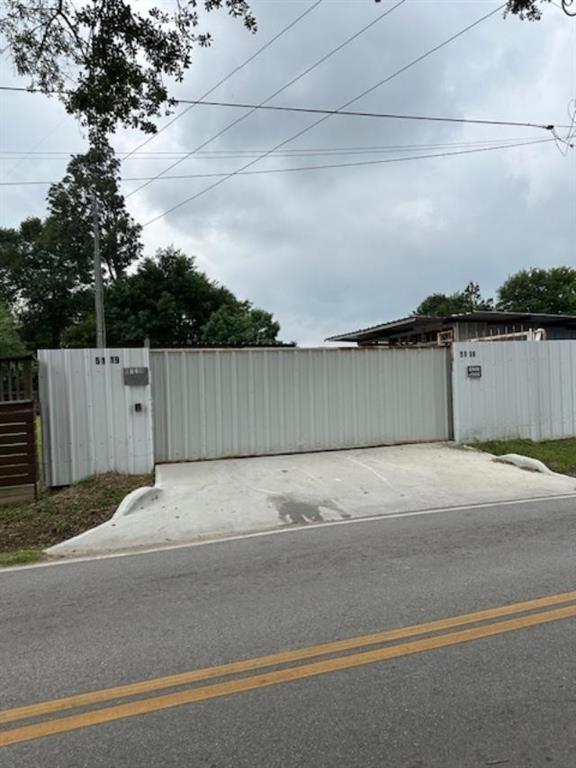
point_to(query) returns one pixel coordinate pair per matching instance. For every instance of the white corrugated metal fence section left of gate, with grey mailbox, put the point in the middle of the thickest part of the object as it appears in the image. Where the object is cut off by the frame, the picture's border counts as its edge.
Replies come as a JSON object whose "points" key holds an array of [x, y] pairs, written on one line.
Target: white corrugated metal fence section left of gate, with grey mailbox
{"points": [[89, 421]]}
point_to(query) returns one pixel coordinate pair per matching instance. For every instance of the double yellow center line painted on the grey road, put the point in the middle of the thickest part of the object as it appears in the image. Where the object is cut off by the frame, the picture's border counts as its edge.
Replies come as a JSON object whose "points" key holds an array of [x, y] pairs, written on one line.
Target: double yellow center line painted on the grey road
{"points": [[339, 655]]}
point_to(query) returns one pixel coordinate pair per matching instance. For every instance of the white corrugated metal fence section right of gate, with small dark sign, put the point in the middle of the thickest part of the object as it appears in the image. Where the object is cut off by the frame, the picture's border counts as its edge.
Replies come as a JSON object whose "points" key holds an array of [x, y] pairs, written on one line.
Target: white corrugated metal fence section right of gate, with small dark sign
{"points": [[527, 390]]}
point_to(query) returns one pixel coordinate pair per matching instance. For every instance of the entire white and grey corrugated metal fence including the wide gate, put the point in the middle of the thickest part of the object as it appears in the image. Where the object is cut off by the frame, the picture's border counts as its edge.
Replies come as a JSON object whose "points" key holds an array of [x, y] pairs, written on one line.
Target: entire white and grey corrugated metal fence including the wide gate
{"points": [[98, 415]]}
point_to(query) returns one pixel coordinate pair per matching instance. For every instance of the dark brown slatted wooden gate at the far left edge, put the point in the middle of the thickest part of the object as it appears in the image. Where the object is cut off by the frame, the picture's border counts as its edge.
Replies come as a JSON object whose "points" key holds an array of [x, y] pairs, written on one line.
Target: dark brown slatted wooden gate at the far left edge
{"points": [[18, 475]]}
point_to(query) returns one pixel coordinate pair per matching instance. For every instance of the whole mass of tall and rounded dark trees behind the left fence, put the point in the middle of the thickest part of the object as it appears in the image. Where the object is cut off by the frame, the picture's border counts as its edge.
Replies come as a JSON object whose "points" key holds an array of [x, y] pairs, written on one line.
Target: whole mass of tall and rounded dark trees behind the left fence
{"points": [[47, 277]]}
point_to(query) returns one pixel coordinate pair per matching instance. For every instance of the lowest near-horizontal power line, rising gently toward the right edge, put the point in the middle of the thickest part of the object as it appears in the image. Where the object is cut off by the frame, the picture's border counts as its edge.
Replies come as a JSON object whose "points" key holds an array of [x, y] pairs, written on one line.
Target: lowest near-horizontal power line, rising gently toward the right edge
{"points": [[357, 164]]}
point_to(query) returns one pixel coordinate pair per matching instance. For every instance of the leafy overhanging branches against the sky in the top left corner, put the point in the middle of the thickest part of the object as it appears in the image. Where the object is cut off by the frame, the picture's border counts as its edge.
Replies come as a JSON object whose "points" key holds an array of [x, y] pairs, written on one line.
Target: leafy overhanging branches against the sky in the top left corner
{"points": [[109, 61]]}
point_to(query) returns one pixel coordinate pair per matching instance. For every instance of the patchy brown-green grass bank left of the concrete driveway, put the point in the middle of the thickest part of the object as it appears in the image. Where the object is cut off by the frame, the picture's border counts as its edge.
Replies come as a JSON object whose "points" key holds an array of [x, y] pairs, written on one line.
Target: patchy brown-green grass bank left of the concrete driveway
{"points": [[59, 515]]}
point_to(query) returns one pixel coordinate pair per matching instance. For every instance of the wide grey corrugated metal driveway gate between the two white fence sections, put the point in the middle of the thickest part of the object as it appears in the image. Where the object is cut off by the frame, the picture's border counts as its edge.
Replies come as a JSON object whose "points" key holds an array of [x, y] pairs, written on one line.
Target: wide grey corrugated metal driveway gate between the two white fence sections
{"points": [[217, 403]]}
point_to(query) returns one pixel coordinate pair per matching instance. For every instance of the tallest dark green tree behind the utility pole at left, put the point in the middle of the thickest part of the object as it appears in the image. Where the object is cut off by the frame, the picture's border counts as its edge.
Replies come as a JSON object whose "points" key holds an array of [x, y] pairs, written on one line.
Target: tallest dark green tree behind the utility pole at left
{"points": [[46, 267]]}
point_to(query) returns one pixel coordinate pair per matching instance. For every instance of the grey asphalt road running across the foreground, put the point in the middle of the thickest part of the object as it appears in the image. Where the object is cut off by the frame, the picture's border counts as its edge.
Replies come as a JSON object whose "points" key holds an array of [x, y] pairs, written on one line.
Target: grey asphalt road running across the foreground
{"points": [[490, 690]]}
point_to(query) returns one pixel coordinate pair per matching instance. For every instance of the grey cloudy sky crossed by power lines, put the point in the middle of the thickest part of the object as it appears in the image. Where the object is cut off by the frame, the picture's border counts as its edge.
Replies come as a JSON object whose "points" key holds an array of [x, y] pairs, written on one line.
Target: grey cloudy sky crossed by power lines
{"points": [[337, 249]]}
